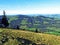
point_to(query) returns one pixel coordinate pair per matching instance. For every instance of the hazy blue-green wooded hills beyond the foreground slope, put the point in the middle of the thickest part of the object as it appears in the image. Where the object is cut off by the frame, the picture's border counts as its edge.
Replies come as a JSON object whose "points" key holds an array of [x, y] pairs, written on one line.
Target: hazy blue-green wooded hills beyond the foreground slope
{"points": [[33, 22]]}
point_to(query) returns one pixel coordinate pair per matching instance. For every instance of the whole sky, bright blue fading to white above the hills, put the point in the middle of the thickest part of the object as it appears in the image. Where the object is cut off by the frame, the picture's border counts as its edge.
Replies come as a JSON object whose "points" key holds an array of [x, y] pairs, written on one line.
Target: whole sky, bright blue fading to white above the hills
{"points": [[30, 6]]}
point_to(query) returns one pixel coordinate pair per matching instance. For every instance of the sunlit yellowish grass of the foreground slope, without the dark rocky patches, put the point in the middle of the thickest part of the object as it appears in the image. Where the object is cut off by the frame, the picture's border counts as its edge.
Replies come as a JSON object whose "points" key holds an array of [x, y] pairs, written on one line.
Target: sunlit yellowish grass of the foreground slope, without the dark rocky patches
{"points": [[38, 38]]}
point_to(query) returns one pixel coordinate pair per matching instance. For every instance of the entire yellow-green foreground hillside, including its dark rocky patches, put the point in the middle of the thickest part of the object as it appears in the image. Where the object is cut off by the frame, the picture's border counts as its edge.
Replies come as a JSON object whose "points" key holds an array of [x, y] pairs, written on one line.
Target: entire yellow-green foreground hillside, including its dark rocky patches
{"points": [[20, 37]]}
